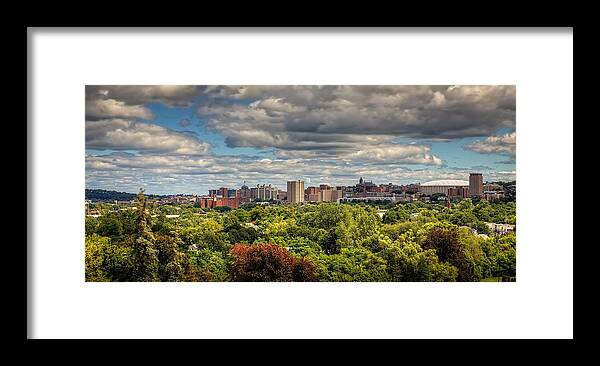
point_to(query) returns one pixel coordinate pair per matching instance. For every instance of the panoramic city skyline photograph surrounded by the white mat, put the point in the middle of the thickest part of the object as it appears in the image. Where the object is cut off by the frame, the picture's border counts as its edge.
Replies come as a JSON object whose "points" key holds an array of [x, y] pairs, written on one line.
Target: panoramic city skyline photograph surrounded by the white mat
{"points": [[300, 183]]}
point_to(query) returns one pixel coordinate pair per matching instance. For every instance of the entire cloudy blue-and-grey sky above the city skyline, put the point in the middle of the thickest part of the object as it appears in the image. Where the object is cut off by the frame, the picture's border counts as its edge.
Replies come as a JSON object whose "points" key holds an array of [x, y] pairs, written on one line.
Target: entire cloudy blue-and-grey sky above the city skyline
{"points": [[188, 139]]}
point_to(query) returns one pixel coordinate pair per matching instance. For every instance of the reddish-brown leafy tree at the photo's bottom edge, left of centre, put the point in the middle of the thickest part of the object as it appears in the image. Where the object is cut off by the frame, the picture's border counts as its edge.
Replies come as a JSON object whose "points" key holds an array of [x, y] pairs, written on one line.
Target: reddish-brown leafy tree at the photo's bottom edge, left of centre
{"points": [[268, 263]]}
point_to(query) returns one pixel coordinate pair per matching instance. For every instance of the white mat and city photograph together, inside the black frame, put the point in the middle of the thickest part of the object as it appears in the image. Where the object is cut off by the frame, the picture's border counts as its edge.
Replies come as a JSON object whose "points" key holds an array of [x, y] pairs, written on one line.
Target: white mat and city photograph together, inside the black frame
{"points": [[255, 184]]}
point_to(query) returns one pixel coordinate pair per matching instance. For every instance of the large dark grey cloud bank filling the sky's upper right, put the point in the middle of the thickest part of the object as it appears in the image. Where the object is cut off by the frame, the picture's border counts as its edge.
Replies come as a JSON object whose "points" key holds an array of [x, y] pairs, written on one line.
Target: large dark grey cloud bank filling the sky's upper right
{"points": [[289, 117]]}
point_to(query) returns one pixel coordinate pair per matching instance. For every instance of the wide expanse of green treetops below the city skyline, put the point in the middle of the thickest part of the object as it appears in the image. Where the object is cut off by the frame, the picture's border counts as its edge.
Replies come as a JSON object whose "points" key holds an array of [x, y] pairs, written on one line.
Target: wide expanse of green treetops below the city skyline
{"points": [[328, 242]]}
